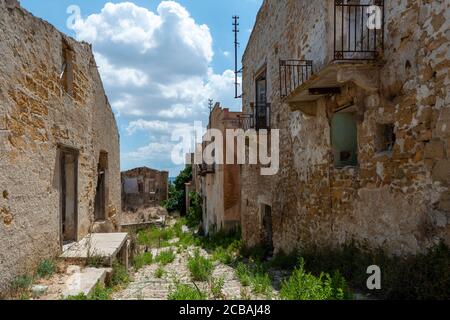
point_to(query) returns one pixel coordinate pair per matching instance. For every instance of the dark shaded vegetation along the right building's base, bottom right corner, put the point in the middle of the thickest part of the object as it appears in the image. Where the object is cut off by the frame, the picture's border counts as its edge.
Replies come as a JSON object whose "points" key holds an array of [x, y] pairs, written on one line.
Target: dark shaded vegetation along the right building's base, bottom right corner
{"points": [[422, 276]]}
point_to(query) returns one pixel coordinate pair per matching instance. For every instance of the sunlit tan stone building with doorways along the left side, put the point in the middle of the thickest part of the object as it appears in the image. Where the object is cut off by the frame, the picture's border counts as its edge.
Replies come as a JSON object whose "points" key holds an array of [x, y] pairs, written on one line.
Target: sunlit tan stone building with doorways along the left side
{"points": [[59, 144]]}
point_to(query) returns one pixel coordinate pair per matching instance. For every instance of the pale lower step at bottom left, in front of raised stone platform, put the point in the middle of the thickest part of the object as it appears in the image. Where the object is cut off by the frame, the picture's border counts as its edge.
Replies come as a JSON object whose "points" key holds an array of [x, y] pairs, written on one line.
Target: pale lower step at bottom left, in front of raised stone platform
{"points": [[84, 281]]}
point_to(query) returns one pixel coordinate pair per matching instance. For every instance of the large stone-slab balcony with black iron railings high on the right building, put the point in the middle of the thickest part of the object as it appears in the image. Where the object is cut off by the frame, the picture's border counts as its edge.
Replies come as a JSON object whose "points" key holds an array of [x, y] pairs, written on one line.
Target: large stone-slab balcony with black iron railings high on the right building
{"points": [[355, 59]]}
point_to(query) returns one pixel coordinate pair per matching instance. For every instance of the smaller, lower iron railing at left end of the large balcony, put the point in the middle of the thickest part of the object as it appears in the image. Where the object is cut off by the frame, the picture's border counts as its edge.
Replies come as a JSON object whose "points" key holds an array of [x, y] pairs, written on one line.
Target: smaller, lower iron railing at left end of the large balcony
{"points": [[292, 74]]}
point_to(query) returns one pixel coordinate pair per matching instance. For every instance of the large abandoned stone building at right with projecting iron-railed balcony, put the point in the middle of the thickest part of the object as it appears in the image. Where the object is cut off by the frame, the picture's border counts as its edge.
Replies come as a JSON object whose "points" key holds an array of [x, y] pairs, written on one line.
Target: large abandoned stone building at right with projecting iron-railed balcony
{"points": [[360, 91]]}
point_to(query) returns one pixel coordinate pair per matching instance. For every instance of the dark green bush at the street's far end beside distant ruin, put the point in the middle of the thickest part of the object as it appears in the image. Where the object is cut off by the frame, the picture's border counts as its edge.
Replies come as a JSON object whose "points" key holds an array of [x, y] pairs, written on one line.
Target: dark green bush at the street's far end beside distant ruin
{"points": [[176, 200]]}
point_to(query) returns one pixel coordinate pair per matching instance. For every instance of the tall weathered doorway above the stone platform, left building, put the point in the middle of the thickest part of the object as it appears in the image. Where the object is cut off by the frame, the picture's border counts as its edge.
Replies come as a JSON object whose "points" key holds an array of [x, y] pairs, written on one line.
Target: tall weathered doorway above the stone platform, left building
{"points": [[68, 161]]}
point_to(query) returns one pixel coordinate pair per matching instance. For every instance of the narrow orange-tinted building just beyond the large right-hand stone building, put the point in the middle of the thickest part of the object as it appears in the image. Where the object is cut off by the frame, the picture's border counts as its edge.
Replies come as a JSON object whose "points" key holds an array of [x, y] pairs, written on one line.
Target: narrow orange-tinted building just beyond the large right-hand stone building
{"points": [[219, 183]]}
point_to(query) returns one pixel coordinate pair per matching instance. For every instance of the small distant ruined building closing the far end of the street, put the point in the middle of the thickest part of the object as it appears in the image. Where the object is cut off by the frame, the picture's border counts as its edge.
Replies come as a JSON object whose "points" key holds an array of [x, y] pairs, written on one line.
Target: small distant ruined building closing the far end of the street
{"points": [[144, 188]]}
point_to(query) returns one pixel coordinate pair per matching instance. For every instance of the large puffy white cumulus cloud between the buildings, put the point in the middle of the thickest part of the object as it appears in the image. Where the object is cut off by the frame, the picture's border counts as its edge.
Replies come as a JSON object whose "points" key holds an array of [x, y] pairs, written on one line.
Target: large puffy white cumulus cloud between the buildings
{"points": [[156, 67]]}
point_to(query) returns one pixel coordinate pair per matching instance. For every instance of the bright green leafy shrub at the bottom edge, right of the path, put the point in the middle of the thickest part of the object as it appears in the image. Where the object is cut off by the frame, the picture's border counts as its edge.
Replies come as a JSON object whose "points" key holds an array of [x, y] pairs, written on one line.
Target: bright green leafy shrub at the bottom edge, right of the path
{"points": [[305, 286]]}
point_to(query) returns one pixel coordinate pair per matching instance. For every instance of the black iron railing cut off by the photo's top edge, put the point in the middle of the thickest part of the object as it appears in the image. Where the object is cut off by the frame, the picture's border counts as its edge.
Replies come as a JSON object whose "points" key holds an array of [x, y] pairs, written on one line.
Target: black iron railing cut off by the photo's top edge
{"points": [[358, 29]]}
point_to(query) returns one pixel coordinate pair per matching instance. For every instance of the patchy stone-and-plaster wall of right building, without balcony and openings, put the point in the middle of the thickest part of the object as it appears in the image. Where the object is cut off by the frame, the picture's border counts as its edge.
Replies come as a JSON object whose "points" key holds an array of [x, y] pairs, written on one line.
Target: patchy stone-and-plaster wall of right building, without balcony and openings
{"points": [[398, 201]]}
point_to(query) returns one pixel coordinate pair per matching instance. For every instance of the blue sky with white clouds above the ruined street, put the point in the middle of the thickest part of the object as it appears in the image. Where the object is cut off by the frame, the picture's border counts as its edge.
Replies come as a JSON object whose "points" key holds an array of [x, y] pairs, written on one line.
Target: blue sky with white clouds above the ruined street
{"points": [[160, 62]]}
